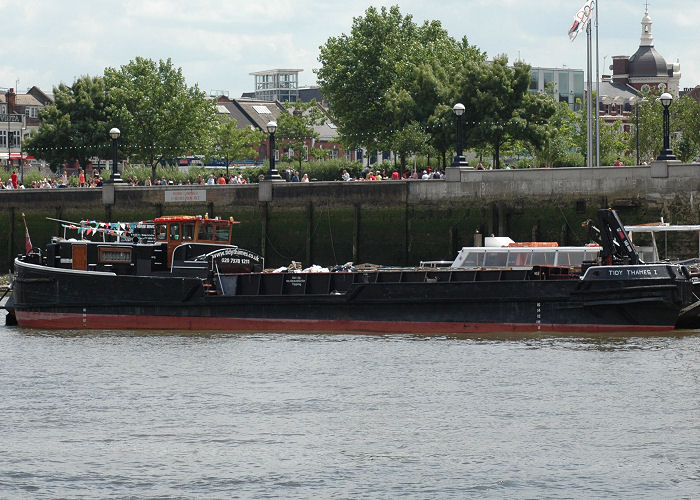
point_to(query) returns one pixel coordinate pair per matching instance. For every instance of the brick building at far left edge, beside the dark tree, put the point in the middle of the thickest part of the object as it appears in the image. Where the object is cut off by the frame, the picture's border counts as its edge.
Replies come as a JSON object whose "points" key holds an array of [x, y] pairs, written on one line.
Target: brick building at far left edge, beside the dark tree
{"points": [[19, 118]]}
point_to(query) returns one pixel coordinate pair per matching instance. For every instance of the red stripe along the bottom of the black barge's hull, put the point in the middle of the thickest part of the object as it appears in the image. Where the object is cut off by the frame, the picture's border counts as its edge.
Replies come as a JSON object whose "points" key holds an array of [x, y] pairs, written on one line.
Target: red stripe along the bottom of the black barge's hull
{"points": [[59, 321]]}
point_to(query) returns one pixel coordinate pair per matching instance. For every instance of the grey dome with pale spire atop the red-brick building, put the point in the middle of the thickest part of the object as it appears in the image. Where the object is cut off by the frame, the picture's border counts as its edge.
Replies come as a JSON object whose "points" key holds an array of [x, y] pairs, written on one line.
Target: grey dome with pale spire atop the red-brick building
{"points": [[647, 68]]}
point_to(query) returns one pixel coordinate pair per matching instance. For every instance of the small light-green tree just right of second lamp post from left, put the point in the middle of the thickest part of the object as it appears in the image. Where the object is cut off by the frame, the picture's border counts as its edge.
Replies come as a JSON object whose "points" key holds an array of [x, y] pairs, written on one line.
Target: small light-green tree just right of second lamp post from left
{"points": [[296, 128]]}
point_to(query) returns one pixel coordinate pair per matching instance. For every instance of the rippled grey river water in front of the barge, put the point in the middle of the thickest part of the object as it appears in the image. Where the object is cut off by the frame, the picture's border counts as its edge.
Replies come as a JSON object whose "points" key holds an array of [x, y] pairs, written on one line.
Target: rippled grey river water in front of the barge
{"points": [[156, 415]]}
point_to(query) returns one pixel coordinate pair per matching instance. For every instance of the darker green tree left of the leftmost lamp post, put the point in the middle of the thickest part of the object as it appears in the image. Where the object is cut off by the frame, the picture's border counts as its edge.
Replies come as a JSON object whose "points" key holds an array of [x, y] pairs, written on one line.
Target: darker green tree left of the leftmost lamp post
{"points": [[76, 126]]}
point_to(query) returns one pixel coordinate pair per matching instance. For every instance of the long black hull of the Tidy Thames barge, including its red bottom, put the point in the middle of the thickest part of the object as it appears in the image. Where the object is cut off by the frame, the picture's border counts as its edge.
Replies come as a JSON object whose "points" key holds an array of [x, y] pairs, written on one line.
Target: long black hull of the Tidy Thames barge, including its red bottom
{"points": [[45, 297]]}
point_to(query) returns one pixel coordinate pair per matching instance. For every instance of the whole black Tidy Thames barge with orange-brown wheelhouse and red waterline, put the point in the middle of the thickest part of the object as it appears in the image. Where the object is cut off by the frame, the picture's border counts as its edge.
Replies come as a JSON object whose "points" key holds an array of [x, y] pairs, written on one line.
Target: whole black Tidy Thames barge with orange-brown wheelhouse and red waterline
{"points": [[188, 275]]}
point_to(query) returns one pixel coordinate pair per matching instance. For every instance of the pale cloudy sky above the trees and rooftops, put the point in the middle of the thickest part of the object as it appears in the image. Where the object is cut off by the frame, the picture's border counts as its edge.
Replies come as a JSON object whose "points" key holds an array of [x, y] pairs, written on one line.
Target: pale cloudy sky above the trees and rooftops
{"points": [[218, 43]]}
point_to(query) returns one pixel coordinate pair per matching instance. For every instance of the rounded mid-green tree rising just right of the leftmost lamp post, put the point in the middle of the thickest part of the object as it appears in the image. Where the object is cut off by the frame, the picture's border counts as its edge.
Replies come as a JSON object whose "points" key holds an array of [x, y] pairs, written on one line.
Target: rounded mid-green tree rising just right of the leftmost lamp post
{"points": [[160, 117]]}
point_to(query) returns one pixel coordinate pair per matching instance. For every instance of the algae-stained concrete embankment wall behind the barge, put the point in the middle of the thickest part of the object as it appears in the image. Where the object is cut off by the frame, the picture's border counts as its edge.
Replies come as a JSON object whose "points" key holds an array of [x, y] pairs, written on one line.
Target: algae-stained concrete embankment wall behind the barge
{"points": [[387, 222]]}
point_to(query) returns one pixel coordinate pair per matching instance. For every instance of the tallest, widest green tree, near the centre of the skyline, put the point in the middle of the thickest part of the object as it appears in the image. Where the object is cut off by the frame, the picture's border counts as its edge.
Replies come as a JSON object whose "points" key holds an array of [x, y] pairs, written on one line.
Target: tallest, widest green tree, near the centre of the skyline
{"points": [[398, 71]]}
